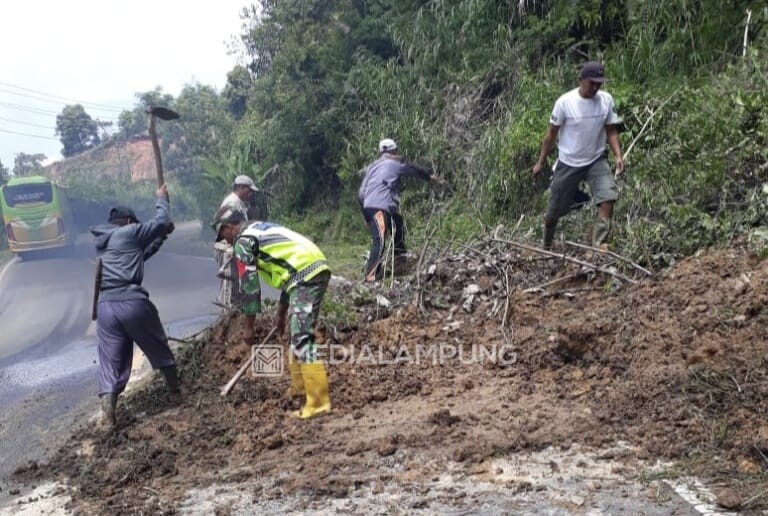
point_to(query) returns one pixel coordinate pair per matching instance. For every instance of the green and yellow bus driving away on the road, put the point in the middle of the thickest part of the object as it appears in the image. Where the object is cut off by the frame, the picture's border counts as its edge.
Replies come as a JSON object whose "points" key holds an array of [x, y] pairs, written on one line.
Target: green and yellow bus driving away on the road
{"points": [[36, 215]]}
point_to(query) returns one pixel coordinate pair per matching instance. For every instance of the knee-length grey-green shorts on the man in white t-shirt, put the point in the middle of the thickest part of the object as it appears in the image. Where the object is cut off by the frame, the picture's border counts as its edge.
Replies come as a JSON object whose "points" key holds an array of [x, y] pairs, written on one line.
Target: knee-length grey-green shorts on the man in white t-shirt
{"points": [[566, 181]]}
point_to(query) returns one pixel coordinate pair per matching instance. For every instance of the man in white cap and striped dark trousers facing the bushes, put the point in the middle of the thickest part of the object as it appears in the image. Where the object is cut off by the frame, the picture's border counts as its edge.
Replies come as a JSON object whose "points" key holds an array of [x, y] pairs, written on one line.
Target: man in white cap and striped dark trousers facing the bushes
{"points": [[379, 197]]}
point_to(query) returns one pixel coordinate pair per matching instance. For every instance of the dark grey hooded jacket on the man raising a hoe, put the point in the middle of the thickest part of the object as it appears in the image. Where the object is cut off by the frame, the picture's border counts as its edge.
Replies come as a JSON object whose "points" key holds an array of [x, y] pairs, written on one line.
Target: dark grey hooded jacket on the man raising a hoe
{"points": [[123, 250]]}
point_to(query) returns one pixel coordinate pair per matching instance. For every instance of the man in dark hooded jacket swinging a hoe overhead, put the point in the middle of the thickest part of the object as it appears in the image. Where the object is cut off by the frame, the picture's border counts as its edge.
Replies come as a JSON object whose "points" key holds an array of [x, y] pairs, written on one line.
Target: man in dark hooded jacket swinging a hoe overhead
{"points": [[125, 313]]}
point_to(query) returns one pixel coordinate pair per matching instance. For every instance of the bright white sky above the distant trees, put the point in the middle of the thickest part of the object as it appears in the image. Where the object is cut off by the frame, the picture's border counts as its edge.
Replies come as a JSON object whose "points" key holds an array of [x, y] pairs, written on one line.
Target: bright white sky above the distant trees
{"points": [[100, 53]]}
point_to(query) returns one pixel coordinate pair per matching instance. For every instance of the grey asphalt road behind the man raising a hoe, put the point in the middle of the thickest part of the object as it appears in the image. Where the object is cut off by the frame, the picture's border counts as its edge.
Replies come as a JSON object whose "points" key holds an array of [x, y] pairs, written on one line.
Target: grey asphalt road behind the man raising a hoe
{"points": [[48, 372]]}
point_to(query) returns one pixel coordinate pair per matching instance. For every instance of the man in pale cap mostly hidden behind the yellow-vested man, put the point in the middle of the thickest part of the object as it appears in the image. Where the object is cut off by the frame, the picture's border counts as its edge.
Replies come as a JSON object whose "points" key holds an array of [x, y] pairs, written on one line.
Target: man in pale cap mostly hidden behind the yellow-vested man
{"points": [[243, 189]]}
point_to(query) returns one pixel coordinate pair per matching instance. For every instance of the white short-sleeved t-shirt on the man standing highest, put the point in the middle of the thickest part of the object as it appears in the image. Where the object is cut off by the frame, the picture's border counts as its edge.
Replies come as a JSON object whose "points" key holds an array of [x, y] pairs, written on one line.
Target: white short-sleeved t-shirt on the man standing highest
{"points": [[582, 122]]}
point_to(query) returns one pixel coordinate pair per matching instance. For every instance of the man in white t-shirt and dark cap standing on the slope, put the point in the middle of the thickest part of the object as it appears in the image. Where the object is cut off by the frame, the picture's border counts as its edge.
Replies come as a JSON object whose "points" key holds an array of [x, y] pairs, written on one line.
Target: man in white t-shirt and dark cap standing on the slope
{"points": [[581, 122]]}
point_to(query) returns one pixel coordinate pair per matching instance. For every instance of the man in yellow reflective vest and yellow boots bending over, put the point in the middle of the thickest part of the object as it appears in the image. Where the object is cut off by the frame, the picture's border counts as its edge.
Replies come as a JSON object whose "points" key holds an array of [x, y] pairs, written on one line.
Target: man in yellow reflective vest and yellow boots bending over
{"points": [[294, 265]]}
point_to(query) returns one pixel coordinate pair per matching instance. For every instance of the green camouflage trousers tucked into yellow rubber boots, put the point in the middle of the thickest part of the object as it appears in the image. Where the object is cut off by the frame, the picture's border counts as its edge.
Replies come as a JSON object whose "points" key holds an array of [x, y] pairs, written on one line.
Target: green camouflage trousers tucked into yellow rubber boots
{"points": [[303, 310]]}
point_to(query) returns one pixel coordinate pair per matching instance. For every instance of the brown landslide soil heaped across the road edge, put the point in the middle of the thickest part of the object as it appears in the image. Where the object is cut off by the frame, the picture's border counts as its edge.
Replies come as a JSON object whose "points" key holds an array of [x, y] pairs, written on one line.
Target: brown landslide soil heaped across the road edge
{"points": [[471, 357]]}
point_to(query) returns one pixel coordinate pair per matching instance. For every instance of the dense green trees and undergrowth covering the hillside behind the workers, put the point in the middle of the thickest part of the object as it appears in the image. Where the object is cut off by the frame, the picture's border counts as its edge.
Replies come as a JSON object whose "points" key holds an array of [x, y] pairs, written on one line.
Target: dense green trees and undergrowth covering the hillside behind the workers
{"points": [[466, 89]]}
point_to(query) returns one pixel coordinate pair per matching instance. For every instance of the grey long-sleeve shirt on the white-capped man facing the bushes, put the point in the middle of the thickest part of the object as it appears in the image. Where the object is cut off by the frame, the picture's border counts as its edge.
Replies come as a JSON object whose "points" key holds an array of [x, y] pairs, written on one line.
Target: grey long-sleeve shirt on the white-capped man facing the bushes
{"points": [[380, 189]]}
